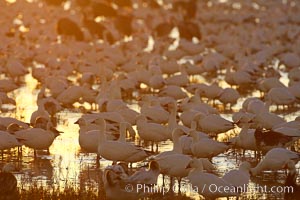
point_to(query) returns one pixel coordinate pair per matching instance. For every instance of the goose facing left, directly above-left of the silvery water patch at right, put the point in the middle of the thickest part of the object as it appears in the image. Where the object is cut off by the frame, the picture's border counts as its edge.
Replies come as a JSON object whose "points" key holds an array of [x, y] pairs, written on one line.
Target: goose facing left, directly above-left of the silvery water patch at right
{"points": [[206, 147]]}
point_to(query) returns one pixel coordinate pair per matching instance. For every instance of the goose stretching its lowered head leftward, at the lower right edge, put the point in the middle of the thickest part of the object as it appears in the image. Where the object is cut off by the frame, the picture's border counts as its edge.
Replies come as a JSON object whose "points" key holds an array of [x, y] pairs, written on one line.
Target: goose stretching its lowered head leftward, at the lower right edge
{"points": [[275, 159]]}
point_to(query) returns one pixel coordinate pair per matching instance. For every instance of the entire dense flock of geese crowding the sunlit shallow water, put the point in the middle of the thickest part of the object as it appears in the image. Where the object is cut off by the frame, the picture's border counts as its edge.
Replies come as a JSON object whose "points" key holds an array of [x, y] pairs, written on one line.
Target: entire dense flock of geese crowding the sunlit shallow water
{"points": [[112, 55]]}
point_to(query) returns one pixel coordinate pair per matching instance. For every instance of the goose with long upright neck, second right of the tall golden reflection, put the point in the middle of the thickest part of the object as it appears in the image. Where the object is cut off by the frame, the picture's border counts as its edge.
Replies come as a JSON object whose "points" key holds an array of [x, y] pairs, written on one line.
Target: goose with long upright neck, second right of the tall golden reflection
{"points": [[118, 150]]}
